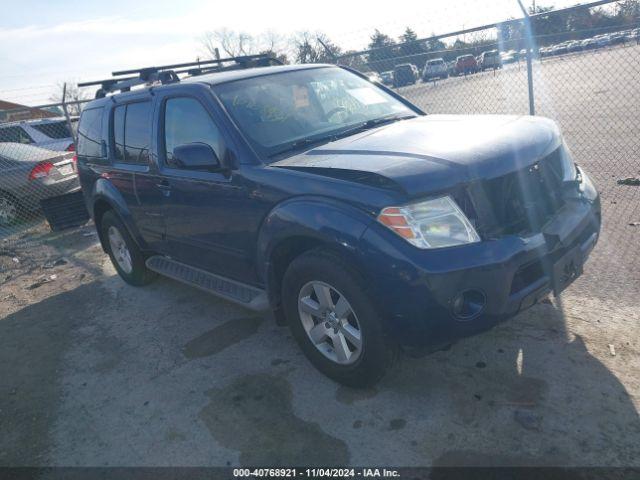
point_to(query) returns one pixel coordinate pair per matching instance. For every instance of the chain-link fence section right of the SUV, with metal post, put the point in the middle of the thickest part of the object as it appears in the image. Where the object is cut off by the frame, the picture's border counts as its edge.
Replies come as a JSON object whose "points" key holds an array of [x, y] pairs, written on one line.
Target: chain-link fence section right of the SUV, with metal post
{"points": [[583, 73]]}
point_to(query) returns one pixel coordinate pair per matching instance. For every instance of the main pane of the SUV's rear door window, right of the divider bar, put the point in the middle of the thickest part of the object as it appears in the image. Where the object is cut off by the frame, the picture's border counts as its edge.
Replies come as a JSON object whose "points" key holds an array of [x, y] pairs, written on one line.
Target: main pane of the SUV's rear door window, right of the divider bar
{"points": [[137, 133]]}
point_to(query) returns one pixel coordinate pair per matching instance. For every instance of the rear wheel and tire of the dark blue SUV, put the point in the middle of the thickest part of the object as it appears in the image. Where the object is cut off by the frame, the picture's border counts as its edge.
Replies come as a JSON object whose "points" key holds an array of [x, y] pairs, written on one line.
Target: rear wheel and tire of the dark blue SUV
{"points": [[134, 272]]}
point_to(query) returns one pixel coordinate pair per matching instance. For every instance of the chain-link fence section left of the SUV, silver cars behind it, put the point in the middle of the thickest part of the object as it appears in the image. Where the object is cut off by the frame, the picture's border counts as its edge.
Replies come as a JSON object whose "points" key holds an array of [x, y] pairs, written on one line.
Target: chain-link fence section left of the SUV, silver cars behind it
{"points": [[38, 171]]}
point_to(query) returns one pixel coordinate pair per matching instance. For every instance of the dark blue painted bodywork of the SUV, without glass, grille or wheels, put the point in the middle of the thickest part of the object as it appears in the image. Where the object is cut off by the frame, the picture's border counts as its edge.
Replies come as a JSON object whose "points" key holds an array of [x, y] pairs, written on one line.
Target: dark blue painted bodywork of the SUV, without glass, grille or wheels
{"points": [[231, 221]]}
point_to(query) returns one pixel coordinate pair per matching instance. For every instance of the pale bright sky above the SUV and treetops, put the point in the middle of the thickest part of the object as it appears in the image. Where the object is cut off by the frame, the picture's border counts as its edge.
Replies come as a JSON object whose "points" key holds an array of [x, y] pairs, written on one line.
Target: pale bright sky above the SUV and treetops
{"points": [[44, 42]]}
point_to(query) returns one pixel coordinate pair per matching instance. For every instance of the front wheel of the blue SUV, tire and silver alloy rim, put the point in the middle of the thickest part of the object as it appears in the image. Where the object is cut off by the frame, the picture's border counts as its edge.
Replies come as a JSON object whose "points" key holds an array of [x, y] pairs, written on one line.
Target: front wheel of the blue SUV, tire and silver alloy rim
{"points": [[366, 364]]}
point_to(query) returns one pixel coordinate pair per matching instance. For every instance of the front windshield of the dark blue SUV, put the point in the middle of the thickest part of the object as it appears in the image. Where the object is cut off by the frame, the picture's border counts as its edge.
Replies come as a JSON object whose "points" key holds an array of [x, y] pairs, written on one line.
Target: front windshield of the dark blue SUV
{"points": [[280, 110]]}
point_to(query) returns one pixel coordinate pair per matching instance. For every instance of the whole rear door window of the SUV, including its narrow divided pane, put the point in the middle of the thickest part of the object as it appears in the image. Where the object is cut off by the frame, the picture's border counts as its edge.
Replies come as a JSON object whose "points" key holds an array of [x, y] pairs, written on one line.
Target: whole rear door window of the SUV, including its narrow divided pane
{"points": [[132, 133]]}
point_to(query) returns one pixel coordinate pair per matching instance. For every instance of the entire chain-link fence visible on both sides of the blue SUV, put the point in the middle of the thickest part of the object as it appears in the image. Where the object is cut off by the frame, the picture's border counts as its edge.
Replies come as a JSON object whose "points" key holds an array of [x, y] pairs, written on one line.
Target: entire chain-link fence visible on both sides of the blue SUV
{"points": [[579, 66]]}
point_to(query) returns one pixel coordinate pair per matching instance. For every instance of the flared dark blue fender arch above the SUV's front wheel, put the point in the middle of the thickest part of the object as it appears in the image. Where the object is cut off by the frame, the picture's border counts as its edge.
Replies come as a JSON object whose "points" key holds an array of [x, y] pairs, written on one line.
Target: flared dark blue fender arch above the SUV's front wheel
{"points": [[328, 221]]}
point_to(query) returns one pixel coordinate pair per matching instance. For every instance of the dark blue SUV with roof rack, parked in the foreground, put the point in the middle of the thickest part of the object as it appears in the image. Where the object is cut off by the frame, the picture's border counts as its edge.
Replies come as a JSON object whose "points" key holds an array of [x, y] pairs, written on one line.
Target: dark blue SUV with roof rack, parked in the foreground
{"points": [[365, 225]]}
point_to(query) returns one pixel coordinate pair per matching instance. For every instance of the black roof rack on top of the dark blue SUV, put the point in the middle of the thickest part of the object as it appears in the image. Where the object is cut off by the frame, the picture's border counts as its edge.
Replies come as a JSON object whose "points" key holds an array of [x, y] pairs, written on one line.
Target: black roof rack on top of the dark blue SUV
{"points": [[166, 74]]}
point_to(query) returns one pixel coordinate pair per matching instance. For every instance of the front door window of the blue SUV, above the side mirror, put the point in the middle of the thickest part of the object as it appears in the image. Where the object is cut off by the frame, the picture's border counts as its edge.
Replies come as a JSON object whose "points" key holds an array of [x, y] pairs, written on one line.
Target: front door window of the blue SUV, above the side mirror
{"points": [[187, 121]]}
